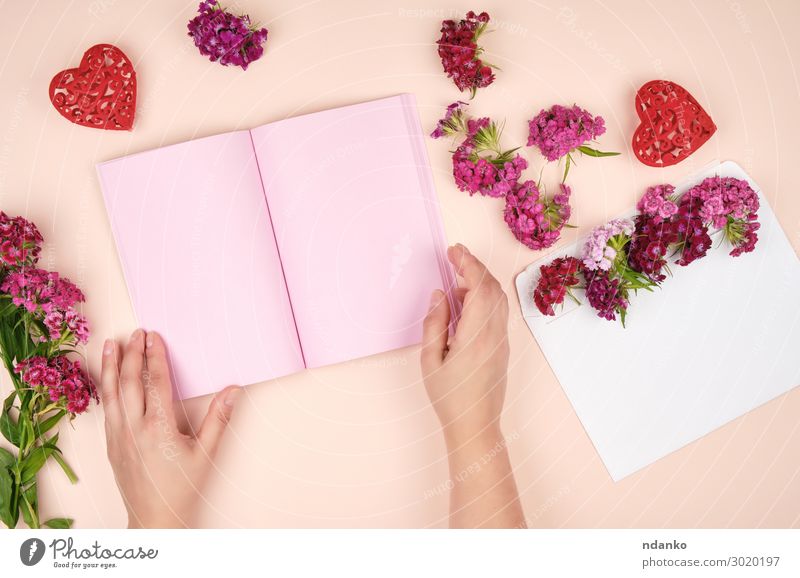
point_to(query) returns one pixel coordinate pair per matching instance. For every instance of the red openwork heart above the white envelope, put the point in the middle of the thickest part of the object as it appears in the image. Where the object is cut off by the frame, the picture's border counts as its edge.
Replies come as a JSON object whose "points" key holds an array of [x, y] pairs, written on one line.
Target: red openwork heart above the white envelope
{"points": [[673, 124]]}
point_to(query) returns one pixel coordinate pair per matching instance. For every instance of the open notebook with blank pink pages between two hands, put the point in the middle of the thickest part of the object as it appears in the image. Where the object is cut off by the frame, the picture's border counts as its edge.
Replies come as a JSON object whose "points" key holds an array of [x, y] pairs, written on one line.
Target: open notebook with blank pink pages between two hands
{"points": [[301, 243]]}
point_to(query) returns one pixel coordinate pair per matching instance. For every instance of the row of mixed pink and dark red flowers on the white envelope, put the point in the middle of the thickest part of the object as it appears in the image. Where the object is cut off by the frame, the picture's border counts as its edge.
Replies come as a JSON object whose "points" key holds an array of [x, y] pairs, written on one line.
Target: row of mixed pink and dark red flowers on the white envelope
{"points": [[624, 256]]}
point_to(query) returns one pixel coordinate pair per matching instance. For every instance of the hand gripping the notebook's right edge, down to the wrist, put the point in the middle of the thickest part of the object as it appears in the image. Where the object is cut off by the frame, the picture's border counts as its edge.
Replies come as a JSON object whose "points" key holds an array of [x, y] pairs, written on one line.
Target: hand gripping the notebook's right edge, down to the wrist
{"points": [[466, 379]]}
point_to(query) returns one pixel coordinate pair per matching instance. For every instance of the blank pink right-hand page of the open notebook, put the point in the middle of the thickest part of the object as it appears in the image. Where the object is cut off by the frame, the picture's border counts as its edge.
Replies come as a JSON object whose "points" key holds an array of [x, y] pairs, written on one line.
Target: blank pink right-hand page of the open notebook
{"points": [[357, 225]]}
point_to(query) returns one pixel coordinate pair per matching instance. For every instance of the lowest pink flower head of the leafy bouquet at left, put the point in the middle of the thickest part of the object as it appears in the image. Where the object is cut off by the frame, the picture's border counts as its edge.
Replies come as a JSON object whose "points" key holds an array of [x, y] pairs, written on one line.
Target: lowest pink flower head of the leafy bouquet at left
{"points": [[62, 380]]}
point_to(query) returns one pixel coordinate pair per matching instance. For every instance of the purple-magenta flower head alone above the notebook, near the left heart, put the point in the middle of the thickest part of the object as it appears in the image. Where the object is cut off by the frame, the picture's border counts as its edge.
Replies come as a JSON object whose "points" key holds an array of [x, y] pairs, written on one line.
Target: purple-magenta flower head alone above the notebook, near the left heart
{"points": [[231, 40]]}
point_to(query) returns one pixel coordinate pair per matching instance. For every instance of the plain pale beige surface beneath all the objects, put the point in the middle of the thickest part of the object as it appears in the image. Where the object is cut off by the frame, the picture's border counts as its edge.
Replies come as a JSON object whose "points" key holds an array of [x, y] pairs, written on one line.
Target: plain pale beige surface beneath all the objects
{"points": [[357, 444]]}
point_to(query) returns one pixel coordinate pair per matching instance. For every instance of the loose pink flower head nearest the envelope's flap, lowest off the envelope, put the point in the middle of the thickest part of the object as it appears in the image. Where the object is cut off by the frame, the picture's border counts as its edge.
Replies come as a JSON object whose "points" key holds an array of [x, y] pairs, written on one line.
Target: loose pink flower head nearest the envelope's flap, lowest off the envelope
{"points": [[535, 220]]}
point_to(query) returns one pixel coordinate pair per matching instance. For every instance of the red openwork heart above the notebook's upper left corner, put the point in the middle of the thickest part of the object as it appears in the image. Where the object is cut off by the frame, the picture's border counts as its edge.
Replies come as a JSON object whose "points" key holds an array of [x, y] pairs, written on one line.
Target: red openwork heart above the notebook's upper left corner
{"points": [[100, 93]]}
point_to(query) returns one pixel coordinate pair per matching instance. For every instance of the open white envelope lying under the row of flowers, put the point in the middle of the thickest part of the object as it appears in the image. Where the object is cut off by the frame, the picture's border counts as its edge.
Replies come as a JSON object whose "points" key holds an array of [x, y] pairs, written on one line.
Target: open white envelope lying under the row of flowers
{"points": [[719, 338]]}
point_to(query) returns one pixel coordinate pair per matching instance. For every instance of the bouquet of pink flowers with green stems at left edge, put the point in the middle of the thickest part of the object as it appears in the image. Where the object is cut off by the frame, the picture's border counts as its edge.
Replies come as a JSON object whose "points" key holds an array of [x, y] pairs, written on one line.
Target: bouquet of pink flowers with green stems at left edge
{"points": [[40, 325]]}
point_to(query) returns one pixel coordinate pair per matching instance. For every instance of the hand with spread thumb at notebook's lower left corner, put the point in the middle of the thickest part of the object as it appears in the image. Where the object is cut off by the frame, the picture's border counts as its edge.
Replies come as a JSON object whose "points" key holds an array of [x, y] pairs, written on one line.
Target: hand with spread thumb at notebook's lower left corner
{"points": [[161, 471]]}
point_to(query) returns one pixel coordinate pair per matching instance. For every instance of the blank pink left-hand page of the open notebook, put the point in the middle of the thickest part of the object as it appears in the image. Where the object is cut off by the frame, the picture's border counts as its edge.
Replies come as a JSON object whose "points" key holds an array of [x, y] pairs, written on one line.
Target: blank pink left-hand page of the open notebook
{"points": [[194, 237]]}
